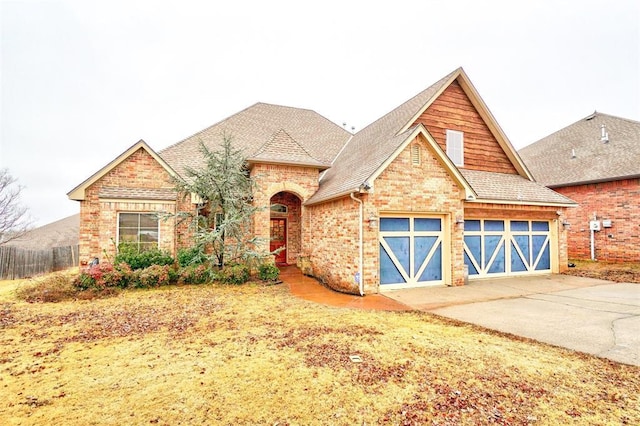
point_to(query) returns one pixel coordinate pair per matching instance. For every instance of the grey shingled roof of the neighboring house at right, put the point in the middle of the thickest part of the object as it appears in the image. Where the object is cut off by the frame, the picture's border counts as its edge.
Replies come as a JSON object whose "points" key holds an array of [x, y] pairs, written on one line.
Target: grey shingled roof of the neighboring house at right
{"points": [[579, 154]]}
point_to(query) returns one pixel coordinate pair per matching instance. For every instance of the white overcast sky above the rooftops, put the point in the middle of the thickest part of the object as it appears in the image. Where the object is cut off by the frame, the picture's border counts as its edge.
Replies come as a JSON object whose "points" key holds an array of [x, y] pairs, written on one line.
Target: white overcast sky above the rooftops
{"points": [[82, 81]]}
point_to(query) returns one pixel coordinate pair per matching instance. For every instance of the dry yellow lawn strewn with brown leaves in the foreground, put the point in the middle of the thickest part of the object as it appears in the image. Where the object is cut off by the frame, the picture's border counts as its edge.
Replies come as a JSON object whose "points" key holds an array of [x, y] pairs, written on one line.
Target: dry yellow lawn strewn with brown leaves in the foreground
{"points": [[257, 355]]}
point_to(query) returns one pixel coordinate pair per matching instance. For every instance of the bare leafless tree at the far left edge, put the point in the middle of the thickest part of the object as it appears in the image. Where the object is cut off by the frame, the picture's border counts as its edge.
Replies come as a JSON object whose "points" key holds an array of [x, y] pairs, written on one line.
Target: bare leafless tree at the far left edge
{"points": [[14, 221]]}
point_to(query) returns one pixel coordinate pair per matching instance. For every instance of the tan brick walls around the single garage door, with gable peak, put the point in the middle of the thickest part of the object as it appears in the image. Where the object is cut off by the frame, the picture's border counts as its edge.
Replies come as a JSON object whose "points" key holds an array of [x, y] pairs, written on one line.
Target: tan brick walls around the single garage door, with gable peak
{"points": [[402, 187]]}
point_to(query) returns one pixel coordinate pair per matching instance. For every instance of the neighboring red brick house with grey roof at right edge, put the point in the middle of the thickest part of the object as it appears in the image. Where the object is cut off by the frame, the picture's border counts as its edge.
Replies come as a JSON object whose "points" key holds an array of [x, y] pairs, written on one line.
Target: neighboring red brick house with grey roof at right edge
{"points": [[596, 162]]}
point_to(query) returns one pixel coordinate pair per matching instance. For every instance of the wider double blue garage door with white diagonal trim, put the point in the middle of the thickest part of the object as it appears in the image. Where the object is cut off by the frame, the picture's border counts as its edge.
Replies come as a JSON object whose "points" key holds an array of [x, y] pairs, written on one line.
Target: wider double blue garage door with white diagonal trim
{"points": [[506, 247]]}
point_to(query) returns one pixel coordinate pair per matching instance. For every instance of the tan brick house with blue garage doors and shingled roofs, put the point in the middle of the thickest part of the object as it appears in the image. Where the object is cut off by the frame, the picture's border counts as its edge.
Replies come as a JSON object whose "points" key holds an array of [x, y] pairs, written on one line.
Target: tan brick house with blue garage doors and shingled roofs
{"points": [[417, 197]]}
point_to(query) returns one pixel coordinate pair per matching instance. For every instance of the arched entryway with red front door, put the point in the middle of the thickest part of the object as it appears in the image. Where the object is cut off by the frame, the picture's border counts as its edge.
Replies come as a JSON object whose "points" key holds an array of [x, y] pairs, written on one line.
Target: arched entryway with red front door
{"points": [[285, 227]]}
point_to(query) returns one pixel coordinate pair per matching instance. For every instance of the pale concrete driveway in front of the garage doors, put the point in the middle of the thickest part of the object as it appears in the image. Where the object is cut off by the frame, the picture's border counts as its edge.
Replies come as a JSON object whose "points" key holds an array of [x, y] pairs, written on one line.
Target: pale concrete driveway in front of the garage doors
{"points": [[587, 315]]}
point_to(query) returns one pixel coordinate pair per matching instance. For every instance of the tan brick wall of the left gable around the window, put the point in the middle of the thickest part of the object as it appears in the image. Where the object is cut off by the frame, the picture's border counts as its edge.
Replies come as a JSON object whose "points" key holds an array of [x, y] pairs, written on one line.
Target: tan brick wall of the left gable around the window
{"points": [[98, 217]]}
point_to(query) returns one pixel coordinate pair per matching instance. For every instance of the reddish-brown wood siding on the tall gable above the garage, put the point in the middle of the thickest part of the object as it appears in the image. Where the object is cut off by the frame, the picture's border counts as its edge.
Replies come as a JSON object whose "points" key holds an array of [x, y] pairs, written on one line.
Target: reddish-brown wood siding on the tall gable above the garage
{"points": [[453, 110]]}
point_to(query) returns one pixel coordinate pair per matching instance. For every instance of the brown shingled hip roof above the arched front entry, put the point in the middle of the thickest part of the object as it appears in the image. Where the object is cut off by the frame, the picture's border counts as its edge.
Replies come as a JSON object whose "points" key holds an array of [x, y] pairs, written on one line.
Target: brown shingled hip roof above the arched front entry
{"points": [[260, 126]]}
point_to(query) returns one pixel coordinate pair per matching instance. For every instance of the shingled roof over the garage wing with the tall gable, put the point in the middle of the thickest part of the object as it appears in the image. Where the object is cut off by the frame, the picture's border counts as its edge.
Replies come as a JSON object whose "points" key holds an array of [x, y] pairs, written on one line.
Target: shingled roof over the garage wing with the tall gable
{"points": [[370, 149]]}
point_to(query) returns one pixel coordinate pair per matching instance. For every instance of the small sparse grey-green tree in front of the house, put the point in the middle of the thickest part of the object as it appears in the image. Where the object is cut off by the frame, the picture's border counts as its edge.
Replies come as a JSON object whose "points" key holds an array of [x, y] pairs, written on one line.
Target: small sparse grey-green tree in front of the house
{"points": [[222, 224]]}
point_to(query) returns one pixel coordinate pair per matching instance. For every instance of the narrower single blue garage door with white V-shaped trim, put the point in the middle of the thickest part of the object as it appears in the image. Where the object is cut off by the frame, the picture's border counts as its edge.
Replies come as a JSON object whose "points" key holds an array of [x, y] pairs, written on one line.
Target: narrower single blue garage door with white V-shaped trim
{"points": [[410, 251]]}
